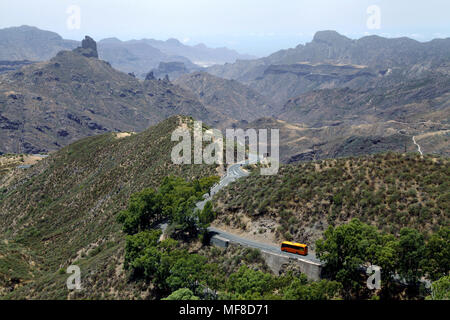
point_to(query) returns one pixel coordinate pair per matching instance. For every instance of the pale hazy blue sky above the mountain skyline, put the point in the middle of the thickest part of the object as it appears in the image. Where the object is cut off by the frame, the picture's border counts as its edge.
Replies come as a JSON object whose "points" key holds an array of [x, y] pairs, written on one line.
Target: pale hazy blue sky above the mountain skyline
{"points": [[257, 27]]}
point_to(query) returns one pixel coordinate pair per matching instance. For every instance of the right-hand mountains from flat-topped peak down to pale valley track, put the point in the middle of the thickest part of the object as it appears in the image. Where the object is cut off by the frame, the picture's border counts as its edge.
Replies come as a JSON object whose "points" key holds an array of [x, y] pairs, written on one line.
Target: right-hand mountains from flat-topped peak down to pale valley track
{"points": [[337, 97]]}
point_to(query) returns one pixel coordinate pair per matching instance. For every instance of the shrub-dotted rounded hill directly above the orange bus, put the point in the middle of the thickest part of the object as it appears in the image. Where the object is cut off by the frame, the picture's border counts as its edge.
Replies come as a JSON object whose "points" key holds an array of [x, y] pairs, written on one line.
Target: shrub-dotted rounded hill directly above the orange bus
{"points": [[389, 191]]}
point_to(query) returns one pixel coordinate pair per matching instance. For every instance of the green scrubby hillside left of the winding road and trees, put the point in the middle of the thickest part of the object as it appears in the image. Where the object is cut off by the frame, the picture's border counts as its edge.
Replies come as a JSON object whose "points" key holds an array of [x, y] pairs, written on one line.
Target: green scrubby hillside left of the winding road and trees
{"points": [[62, 211]]}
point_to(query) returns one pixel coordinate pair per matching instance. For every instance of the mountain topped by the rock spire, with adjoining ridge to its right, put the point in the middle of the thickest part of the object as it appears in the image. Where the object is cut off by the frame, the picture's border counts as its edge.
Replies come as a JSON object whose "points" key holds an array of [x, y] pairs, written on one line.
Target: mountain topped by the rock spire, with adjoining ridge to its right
{"points": [[47, 105]]}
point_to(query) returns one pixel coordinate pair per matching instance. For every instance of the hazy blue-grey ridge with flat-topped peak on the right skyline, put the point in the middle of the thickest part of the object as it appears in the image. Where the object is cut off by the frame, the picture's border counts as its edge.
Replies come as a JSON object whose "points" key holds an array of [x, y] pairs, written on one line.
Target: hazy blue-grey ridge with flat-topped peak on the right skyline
{"points": [[331, 47]]}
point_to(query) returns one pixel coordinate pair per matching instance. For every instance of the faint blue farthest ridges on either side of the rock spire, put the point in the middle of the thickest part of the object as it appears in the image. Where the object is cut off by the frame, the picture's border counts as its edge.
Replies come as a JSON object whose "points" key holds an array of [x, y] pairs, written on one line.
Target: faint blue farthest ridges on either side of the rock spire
{"points": [[137, 56]]}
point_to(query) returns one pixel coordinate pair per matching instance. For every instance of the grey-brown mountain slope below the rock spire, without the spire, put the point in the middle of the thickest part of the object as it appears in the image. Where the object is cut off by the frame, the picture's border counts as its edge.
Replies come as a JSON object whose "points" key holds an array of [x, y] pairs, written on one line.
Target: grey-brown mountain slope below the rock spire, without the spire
{"points": [[48, 105]]}
